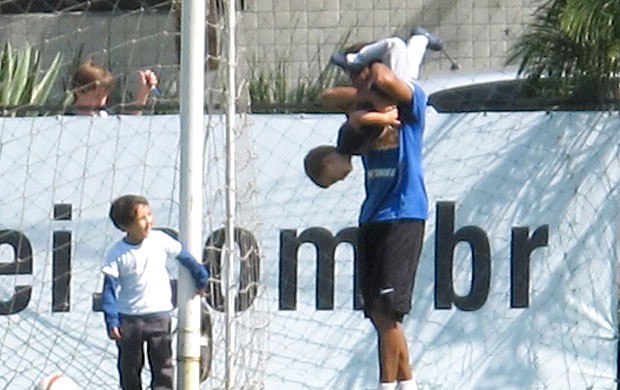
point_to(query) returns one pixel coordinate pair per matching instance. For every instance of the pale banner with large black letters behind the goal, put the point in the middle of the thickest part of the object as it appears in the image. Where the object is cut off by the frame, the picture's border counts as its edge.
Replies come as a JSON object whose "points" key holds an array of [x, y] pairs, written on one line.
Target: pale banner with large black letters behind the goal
{"points": [[515, 290]]}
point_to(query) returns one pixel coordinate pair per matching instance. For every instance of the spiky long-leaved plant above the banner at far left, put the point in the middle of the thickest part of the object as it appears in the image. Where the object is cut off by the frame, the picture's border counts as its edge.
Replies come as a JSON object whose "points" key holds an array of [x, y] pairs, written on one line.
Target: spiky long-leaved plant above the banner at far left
{"points": [[22, 82]]}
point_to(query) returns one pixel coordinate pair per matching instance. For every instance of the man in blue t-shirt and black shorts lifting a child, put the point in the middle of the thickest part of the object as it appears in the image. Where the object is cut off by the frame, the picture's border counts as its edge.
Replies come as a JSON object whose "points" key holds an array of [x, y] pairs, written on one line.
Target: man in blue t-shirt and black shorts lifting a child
{"points": [[392, 220]]}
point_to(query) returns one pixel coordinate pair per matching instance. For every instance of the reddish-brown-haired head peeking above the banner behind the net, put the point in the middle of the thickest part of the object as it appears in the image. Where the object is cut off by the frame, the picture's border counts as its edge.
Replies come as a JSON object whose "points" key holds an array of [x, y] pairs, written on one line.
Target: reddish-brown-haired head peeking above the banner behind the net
{"points": [[91, 84]]}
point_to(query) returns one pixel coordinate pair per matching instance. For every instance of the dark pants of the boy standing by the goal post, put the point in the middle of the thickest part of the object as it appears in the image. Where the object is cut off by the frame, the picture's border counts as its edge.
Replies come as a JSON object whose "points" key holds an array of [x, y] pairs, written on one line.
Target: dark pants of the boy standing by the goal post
{"points": [[155, 331]]}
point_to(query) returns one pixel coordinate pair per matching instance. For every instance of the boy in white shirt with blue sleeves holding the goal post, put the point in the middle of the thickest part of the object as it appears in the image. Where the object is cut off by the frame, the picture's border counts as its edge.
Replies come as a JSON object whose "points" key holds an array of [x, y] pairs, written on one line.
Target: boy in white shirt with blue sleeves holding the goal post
{"points": [[135, 269]]}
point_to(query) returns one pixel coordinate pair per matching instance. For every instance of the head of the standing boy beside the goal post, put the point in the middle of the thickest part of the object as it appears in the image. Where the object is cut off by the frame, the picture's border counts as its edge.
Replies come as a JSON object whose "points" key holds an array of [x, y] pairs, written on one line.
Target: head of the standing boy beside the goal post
{"points": [[127, 210]]}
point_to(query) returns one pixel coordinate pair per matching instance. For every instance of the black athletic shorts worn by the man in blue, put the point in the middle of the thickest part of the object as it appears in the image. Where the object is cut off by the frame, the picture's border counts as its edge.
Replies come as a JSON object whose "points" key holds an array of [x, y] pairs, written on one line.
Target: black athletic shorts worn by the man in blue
{"points": [[389, 253]]}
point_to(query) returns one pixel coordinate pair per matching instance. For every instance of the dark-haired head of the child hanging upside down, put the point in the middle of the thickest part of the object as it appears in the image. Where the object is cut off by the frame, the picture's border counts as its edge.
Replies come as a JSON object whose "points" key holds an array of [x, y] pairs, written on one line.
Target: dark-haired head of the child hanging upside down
{"points": [[325, 165]]}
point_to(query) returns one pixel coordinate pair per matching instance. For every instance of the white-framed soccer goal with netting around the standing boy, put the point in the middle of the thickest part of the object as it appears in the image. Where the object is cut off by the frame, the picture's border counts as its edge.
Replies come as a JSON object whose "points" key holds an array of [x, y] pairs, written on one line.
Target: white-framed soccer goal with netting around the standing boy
{"points": [[50, 305]]}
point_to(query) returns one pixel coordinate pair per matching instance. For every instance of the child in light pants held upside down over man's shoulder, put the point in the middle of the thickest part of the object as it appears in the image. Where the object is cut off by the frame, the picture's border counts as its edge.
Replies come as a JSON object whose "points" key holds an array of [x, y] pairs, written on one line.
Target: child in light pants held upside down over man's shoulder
{"points": [[372, 122]]}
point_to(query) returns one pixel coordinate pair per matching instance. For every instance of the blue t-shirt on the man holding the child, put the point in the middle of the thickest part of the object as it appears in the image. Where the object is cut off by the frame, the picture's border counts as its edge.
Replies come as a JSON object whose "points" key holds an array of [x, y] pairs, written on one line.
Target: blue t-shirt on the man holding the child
{"points": [[394, 178]]}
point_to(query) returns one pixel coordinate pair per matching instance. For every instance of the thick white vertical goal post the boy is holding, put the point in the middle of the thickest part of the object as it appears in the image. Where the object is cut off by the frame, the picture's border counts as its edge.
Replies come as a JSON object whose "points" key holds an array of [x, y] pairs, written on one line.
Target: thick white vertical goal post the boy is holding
{"points": [[190, 186]]}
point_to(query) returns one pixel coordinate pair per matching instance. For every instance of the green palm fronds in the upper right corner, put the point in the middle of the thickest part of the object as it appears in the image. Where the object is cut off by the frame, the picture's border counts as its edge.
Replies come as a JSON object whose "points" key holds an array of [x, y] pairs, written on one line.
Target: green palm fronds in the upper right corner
{"points": [[576, 42]]}
